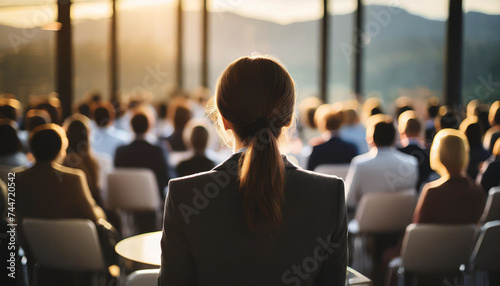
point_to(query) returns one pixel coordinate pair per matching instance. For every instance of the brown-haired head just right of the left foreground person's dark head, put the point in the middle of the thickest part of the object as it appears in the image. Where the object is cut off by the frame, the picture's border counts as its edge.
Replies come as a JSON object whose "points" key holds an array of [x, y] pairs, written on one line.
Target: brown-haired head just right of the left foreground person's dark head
{"points": [[78, 133]]}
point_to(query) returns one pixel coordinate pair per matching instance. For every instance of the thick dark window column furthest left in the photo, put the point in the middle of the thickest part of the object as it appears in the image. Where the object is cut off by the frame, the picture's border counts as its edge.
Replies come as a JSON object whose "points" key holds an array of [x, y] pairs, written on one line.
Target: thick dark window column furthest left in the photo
{"points": [[64, 57]]}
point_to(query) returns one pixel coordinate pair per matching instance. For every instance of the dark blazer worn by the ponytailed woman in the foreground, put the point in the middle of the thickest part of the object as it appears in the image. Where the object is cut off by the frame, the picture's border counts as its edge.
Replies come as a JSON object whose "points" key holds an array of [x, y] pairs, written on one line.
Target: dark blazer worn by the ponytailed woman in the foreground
{"points": [[206, 240]]}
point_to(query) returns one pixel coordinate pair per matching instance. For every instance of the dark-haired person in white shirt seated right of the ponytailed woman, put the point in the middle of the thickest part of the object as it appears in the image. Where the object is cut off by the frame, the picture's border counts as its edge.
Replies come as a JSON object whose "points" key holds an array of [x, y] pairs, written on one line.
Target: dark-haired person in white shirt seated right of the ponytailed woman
{"points": [[383, 168]]}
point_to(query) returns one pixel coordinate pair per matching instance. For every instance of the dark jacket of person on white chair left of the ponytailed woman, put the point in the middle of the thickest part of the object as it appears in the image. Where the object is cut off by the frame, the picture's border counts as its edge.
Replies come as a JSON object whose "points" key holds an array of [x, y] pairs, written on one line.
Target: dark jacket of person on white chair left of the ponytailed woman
{"points": [[142, 154]]}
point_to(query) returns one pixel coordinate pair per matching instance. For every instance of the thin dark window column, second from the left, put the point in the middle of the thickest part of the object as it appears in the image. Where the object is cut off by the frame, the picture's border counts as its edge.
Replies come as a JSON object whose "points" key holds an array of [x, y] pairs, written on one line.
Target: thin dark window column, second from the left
{"points": [[113, 56]]}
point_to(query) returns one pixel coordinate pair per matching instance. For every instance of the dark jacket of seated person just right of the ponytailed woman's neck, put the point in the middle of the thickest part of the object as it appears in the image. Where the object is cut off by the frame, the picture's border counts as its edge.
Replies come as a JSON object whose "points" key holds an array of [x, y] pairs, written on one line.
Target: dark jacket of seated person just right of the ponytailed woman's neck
{"points": [[333, 151]]}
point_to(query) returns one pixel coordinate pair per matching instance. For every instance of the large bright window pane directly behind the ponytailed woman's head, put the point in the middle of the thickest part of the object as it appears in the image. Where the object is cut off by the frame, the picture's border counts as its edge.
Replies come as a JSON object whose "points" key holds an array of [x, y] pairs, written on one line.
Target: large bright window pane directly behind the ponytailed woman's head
{"points": [[239, 28]]}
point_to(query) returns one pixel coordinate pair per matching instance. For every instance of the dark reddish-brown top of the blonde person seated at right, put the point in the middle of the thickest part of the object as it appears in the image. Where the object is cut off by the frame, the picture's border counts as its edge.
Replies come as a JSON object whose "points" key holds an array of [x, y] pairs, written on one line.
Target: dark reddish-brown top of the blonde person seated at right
{"points": [[458, 200]]}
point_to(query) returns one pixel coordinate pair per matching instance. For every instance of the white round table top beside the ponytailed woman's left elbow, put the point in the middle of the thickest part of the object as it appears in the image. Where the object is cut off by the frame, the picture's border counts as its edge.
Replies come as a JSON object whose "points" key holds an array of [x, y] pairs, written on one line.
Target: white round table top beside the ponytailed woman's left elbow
{"points": [[143, 248]]}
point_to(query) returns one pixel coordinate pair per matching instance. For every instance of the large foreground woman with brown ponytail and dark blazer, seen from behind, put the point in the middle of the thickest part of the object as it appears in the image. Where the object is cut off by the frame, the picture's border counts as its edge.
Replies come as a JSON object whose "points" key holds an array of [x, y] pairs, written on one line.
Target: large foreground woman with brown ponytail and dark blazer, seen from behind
{"points": [[255, 219]]}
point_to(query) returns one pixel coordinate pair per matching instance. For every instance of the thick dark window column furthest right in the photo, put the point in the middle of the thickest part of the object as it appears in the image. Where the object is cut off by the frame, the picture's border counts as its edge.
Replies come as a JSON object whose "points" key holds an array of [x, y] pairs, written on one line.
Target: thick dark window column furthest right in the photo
{"points": [[453, 55]]}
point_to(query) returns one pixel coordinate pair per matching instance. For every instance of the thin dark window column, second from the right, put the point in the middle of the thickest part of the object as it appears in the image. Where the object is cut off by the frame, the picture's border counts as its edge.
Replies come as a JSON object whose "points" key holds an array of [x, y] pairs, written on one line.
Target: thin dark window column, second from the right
{"points": [[358, 50]]}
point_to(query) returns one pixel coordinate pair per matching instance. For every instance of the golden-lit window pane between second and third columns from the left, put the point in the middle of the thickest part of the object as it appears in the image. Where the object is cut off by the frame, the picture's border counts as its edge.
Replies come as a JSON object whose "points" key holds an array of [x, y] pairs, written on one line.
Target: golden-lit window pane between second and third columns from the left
{"points": [[147, 49]]}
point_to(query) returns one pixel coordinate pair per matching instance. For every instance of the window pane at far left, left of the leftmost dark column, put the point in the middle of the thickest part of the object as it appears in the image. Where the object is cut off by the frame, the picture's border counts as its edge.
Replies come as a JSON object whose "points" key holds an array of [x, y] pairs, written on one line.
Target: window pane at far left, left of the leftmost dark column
{"points": [[27, 49]]}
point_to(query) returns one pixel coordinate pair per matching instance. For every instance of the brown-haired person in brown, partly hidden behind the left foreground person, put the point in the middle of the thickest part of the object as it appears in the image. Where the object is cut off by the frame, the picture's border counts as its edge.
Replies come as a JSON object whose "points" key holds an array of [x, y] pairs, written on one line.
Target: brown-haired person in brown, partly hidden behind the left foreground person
{"points": [[79, 154]]}
